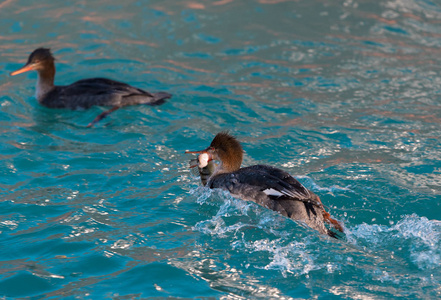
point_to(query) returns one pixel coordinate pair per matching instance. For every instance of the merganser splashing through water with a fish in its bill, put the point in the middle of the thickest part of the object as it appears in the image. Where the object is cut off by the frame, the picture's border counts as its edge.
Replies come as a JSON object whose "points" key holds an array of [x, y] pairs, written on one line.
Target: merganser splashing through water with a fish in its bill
{"points": [[268, 186]]}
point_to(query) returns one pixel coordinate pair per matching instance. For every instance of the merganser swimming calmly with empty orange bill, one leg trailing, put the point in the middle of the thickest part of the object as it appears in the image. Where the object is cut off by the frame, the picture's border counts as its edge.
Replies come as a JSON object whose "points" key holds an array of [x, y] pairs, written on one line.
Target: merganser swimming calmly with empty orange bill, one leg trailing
{"points": [[84, 93]]}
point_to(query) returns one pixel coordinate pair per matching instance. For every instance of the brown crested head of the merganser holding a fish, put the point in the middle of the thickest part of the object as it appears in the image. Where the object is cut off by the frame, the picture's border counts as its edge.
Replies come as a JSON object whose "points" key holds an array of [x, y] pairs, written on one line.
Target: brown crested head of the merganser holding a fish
{"points": [[228, 150]]}
